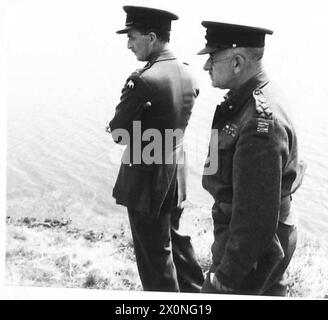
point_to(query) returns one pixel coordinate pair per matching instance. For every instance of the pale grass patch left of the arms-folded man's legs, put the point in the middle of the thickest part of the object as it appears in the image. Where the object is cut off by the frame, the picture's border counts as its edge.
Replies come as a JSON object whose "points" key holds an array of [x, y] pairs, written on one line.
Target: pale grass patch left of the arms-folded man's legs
{"points": [[69, 257]]}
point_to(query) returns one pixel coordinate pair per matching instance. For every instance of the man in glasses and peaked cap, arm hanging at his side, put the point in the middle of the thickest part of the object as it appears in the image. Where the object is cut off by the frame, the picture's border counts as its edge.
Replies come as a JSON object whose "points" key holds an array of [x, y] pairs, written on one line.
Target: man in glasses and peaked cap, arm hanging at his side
{"points": [[252, 167]]}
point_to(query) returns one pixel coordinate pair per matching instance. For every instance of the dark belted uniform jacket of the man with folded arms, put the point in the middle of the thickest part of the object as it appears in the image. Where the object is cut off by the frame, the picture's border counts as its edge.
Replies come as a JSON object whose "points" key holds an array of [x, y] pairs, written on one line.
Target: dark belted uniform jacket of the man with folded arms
{"points": [[160, 96]]}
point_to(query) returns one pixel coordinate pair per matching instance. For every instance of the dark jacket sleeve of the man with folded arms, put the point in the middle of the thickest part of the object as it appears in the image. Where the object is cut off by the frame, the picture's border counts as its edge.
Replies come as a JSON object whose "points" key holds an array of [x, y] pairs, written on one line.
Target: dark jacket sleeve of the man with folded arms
{"points": [[135, 94]]}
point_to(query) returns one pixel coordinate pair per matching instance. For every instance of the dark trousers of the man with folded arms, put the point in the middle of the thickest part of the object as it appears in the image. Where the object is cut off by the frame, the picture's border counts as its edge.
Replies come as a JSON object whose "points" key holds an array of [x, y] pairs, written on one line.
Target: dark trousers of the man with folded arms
{"points": [[165, 258]]}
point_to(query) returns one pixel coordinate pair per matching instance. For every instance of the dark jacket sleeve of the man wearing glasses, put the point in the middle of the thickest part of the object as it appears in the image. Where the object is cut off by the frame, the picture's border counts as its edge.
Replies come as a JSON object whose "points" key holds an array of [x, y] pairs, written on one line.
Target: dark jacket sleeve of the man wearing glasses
{"points": [[257, 173]]}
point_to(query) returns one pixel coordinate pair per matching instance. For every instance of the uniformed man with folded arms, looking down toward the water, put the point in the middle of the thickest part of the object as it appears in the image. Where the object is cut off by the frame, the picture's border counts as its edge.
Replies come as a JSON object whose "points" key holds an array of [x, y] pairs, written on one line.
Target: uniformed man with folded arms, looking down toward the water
{"points": [[159, 96]]}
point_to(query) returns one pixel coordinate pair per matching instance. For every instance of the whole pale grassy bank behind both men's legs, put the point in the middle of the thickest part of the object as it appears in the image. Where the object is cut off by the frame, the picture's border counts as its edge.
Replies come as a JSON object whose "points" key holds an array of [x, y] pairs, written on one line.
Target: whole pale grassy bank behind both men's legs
{"points": [[60, 254]]}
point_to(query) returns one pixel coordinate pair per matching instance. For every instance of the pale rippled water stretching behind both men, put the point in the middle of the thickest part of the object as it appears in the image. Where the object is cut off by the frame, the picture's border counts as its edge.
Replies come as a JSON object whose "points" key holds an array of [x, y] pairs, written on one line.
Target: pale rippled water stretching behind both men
{"points": [[65, 79]]}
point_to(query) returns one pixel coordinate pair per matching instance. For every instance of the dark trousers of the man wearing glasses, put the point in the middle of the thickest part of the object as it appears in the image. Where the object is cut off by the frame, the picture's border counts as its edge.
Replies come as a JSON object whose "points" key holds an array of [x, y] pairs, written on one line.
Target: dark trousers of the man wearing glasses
{"points": [[268, 278]]}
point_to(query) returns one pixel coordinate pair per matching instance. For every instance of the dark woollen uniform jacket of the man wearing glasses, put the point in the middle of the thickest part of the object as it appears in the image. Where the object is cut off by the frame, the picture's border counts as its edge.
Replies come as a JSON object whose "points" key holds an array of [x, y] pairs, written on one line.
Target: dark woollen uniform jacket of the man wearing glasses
{"points": [[258, 169]]}
